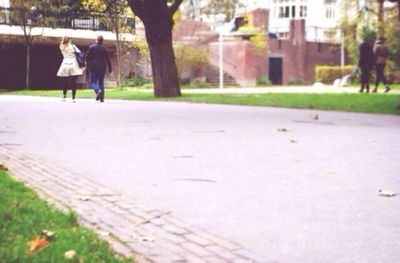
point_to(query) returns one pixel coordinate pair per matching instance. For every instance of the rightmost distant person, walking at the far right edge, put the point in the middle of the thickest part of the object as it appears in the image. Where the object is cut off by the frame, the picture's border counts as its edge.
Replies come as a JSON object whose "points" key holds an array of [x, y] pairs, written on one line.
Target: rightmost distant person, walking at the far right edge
{"points": [[381, 52]]}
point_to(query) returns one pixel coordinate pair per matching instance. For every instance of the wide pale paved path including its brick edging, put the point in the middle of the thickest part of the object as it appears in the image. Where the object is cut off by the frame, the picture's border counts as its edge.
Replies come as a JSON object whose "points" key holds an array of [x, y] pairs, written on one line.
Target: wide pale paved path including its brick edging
{"points": [[214, 183]]}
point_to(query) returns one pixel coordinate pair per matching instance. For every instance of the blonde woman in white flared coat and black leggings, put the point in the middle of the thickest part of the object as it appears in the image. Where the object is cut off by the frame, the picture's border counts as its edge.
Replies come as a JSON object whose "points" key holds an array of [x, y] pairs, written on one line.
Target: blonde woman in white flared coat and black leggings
{"points": [[69, 69]]}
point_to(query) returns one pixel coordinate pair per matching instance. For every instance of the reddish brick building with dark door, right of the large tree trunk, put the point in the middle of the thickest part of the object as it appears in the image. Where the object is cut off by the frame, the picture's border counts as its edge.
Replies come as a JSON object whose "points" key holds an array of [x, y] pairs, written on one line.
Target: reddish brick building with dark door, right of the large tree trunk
{"points": [[292, 59]]}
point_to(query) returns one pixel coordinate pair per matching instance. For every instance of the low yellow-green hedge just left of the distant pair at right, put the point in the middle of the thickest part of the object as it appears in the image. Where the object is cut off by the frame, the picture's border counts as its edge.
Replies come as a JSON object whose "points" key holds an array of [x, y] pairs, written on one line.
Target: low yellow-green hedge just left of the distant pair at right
{"points": [[328, 74]]}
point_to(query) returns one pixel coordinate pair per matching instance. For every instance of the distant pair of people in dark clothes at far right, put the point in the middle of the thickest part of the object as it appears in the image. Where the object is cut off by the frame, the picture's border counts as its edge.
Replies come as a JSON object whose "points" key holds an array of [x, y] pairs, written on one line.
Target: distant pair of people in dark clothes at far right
{"points": [[371, 57]]}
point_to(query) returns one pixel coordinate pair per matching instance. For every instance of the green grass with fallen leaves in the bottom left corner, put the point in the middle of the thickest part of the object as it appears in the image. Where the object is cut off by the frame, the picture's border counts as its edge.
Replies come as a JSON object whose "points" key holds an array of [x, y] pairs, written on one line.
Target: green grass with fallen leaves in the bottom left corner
{"points": [[23, 216]]}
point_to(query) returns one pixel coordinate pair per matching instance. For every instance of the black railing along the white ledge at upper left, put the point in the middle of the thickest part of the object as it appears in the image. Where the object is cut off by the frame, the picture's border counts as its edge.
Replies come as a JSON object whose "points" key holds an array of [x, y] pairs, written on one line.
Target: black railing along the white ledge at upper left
{"points": [[62, 19]]}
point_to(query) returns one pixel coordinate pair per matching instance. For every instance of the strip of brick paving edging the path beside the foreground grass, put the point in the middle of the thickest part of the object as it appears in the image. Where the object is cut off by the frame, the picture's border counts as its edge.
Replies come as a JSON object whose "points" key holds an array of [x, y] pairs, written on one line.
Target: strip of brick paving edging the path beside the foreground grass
{"points": [[133, 230]]}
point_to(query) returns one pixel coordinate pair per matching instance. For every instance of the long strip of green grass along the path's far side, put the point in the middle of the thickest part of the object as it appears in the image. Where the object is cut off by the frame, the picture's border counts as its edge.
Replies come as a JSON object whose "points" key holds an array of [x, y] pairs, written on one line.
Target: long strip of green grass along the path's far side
{"points": [[351, 102]]}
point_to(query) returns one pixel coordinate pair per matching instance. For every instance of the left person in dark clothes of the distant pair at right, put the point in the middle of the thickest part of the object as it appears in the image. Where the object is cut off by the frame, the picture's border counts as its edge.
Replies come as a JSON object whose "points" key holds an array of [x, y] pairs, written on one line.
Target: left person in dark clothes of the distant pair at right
{"points": [[366, 63]]}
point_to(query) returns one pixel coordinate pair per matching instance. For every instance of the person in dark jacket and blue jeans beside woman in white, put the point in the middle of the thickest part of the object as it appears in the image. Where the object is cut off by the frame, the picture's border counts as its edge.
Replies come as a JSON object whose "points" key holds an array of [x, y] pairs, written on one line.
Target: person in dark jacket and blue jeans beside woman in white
{"points": [[98, 61]]}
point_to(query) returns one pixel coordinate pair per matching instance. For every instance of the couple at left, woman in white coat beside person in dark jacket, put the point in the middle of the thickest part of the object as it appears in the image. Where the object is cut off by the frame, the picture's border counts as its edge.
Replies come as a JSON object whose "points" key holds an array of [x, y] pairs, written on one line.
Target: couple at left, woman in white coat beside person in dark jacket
{"points": [[97, 60]]}
